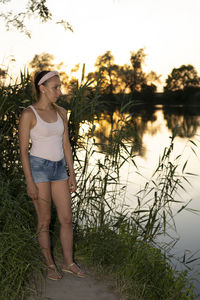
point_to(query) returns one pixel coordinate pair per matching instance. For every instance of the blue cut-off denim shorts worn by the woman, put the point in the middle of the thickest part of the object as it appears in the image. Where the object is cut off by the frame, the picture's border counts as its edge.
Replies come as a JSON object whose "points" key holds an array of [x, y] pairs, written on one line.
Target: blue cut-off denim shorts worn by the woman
{"points": [[44, 170]]}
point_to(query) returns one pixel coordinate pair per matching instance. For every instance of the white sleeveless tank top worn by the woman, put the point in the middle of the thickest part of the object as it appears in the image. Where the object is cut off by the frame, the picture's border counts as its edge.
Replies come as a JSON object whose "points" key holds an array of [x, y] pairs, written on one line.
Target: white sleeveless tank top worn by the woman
{"points": [[47, 138]]}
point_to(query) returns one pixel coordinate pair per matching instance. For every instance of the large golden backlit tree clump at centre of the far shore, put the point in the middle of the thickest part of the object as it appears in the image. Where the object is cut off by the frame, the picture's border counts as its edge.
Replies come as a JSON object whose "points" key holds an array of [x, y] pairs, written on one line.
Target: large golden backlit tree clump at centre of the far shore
{"points": [[113, 78]]}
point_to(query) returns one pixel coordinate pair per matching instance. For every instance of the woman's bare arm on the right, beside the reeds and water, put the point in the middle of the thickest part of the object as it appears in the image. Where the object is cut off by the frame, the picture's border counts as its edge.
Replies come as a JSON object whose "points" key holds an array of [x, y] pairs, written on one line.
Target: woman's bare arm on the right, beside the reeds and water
{"points": [[68, 156]]}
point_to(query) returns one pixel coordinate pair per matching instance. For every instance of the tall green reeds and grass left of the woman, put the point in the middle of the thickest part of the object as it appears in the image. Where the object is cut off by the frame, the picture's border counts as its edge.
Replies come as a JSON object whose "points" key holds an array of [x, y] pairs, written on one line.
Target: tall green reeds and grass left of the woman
{"points": [[20, 260]]}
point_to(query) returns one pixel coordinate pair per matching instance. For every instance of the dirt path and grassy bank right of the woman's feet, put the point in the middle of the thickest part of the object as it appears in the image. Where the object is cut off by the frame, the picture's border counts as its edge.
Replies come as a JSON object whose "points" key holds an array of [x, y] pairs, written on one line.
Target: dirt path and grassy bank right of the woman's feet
{"points": [[115, 277]]}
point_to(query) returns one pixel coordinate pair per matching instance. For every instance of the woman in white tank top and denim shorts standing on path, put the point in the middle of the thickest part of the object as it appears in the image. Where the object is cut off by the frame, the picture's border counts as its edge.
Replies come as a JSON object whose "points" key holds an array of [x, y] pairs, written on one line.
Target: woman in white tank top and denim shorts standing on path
{"points": [[44, 169]]}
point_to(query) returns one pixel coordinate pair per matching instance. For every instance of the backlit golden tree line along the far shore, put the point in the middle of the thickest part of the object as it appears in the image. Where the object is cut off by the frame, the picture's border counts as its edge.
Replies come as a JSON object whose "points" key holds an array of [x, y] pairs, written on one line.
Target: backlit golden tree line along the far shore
{"points": [[181, 85]]}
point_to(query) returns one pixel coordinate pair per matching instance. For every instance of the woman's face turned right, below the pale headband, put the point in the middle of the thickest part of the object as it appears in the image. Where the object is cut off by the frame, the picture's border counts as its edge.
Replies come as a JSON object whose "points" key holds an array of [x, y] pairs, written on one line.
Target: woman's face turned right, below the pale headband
{"points": [[52, 90]]}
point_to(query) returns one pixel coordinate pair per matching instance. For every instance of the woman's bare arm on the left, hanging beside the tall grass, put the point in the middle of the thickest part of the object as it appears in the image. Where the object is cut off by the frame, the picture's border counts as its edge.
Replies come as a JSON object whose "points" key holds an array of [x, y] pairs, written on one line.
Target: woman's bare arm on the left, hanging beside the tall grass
{"points": [[25, 124]]}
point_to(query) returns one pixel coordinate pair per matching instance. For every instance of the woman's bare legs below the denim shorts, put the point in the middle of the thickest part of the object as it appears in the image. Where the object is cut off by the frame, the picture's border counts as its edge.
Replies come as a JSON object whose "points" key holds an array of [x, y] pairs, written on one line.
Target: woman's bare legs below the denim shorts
{"points": [[59, 191]]}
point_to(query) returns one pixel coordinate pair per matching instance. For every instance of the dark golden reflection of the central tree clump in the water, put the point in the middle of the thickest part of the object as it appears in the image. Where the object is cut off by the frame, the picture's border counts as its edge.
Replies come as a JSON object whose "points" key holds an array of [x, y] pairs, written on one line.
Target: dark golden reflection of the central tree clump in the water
{"points": [[132, 126]]}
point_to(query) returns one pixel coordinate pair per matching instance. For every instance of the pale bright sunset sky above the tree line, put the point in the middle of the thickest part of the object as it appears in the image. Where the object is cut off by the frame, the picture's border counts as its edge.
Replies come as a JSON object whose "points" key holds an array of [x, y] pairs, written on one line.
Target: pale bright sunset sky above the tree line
{"points": [[167, 29]]}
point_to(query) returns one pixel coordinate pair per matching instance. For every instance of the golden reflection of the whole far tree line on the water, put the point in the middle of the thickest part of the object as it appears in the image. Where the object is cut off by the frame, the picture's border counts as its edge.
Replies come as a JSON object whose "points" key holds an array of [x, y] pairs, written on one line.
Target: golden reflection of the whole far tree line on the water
{"points": [[143, 121]]}
